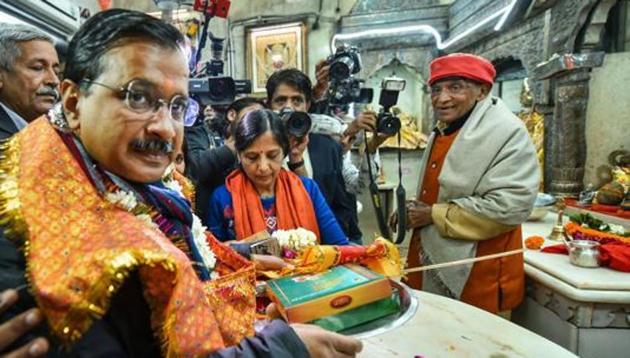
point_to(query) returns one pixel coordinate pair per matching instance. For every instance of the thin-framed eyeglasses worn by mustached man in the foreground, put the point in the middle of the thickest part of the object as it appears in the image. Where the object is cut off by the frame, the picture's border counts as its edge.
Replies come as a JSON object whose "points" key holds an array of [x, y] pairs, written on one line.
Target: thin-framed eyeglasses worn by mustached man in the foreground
{"points": [[142, 97]]}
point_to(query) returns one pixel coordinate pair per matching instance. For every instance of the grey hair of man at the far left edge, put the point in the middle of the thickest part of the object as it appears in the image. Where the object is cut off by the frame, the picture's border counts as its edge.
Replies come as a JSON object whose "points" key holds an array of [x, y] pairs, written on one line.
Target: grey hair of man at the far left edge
{"points": [[11, 35]]}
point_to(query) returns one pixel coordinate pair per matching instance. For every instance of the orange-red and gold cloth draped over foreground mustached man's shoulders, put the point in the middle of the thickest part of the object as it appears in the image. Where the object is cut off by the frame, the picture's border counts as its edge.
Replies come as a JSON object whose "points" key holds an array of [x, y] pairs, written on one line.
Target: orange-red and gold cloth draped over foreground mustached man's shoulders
{"points": [[79, 249]]}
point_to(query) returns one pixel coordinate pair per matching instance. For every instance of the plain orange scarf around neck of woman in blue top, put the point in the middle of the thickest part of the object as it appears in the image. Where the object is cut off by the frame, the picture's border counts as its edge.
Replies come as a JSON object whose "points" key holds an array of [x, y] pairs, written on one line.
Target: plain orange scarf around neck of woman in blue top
{"points": [[293, 205]]}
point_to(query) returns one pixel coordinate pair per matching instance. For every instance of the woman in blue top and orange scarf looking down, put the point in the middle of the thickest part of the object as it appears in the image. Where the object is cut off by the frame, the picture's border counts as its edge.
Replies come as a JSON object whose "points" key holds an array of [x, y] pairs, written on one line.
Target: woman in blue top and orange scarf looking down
{"points": [[262, 195]]}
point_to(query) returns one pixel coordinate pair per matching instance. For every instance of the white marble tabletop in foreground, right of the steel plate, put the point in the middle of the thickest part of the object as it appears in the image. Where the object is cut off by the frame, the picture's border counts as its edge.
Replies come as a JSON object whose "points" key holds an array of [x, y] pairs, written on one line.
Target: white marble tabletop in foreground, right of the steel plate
{"points": [[443, 327]]}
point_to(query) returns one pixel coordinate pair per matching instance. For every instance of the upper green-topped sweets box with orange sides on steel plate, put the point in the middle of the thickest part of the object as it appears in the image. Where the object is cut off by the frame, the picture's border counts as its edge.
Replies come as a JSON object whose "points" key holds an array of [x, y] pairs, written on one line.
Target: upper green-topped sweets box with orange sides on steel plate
{"points": [[307, 298]]}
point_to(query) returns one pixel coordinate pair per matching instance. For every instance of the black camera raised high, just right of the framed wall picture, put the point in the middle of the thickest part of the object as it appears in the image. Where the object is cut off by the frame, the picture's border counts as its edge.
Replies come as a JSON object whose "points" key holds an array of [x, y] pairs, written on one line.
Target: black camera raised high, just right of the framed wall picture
{"points": [[344, 88]]}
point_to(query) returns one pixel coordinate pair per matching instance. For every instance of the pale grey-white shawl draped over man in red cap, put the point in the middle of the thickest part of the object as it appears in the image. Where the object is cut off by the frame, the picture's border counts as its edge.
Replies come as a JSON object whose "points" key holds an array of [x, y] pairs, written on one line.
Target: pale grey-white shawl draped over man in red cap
{"points": [[490, 170]]}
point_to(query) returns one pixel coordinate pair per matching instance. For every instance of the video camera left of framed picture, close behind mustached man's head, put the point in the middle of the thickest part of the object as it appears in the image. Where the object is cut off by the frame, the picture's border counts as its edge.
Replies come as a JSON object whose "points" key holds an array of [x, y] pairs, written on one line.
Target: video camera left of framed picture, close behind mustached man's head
{"points": [[212, 88]]}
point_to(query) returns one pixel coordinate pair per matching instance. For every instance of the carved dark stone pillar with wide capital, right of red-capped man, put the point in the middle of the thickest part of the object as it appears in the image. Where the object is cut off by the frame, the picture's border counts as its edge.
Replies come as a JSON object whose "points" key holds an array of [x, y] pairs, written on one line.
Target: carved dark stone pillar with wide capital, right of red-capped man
{"points": [[565, 140]]}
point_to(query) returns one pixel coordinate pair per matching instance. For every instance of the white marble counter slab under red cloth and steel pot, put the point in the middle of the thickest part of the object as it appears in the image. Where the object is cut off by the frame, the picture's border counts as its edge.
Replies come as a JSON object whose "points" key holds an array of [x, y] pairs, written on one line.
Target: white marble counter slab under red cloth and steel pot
{"points": [[581, 284]]}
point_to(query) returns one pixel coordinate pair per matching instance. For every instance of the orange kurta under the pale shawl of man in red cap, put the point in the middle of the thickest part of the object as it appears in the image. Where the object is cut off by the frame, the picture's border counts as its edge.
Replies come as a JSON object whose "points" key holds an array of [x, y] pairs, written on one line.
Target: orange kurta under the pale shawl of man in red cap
{"points": [[493, 285]]}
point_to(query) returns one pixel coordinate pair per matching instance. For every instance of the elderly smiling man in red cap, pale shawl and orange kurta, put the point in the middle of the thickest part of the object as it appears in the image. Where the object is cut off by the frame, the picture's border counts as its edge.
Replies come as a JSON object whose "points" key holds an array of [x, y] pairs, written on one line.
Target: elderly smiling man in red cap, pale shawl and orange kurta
{"points": [[478, 182]]}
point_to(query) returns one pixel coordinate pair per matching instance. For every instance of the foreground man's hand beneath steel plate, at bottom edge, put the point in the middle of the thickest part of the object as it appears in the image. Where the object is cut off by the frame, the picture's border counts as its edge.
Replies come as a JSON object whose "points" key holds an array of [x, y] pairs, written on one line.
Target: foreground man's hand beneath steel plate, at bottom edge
{"points": [[324, 344]]}
